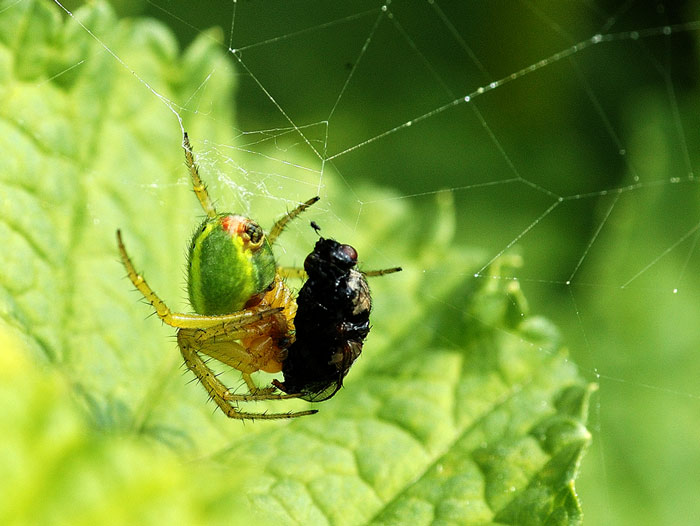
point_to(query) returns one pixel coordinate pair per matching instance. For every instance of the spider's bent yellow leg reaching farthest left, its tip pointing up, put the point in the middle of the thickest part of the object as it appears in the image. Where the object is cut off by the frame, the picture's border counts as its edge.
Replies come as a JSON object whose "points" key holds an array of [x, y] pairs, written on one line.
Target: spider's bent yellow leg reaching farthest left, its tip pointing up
{"points": [[186, 321]]}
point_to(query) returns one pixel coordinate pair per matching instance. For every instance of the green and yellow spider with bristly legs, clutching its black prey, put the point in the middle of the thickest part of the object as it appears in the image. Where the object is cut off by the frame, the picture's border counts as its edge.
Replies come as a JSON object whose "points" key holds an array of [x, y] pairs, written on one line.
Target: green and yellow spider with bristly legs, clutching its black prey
{"points": [[244, 310]]}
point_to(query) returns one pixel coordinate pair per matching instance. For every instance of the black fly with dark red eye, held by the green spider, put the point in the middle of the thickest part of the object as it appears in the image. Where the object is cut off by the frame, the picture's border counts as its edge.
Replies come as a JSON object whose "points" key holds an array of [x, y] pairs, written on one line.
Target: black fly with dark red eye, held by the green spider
{"points": [[332, 321]]}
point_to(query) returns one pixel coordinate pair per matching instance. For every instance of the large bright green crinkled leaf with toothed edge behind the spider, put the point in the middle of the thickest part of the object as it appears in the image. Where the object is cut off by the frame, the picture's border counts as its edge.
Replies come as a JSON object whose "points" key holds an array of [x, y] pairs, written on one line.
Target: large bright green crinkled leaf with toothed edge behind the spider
{"points": [[463, 409]]}
